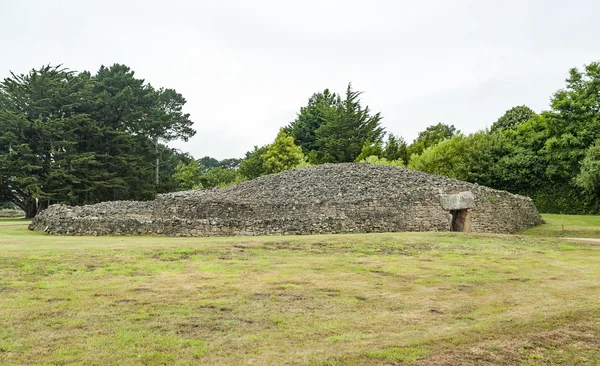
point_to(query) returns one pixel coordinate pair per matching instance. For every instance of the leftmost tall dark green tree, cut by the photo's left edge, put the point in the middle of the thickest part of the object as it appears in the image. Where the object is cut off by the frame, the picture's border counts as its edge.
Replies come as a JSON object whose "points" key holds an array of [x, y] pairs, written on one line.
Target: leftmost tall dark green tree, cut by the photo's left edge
{"points": [[42, 118]]}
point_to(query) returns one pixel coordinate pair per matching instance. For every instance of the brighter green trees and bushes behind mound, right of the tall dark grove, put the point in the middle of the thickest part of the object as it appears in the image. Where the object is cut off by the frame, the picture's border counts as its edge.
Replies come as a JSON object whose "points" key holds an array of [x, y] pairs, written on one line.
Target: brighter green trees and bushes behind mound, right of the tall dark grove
{"points": [[553, 156]]}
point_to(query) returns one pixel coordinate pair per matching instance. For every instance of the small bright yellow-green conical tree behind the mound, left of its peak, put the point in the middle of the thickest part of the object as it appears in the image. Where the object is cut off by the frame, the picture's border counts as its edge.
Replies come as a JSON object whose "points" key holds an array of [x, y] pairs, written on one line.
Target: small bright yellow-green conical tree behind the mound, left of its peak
{"points": [[283, 154]]}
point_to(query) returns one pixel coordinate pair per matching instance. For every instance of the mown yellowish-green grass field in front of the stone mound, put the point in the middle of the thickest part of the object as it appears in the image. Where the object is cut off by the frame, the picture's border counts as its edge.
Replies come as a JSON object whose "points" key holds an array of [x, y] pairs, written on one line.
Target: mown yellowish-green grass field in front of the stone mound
{"points": [[372, 299]]}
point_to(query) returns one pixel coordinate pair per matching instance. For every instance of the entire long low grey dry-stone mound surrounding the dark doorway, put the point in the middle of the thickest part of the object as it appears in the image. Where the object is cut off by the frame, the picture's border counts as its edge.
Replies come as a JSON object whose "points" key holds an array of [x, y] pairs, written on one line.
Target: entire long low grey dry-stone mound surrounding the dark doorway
{"points": [[330, 198]]}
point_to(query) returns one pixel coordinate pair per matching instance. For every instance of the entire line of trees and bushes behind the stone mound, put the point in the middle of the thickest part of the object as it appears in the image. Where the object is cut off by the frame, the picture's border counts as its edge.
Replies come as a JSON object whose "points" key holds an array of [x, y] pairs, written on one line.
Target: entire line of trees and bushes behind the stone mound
{"points": [[78, 138]]}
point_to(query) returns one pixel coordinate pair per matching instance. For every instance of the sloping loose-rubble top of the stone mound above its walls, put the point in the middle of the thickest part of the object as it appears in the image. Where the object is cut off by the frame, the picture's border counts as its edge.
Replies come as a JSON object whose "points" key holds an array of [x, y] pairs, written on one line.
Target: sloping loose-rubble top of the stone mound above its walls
{"points": [[351, 182]]}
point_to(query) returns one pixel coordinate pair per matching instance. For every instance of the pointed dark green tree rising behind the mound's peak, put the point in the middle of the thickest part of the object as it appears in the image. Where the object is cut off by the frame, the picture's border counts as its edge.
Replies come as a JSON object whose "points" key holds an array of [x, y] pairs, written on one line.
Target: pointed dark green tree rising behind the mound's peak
{"points": [[347, 127]]}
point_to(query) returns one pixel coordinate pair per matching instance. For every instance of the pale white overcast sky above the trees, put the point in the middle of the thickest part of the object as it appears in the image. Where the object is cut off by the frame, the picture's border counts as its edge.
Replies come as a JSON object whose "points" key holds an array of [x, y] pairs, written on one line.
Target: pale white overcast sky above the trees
{"points": [[246, 67]]}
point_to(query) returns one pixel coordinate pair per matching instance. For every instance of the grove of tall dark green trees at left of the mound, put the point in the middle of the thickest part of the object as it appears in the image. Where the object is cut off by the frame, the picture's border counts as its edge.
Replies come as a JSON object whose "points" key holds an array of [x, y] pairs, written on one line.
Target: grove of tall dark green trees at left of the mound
{"points": [[77, 138]]}
